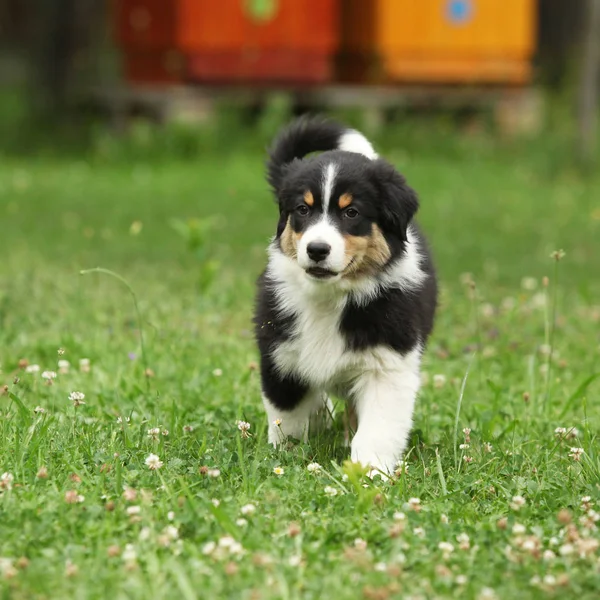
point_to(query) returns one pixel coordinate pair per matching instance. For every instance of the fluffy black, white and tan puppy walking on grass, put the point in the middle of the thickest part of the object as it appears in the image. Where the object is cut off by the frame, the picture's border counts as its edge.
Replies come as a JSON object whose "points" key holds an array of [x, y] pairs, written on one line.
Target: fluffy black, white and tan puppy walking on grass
{"points": [[347, 301]]}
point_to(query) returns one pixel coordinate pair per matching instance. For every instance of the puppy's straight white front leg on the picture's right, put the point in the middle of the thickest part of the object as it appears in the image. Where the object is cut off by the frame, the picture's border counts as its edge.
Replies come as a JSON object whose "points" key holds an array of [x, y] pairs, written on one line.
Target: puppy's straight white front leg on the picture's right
{"points": [[384, 404]]}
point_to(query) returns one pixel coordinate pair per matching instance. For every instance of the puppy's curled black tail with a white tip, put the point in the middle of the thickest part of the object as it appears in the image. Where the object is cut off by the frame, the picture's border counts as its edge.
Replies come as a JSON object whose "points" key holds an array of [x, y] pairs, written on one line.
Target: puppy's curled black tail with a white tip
{"points": [[312, 134]]}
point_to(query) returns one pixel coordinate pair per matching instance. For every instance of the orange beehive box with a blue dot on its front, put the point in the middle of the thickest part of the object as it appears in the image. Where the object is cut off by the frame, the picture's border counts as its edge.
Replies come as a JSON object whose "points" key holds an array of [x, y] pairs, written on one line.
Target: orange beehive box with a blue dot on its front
{"points": [[439, 41]]}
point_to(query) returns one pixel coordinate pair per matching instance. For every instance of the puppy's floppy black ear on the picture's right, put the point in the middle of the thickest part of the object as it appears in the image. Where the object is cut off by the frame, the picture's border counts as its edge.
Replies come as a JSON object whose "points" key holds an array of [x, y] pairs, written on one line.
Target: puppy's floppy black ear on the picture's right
{"points": [[398, 202]]}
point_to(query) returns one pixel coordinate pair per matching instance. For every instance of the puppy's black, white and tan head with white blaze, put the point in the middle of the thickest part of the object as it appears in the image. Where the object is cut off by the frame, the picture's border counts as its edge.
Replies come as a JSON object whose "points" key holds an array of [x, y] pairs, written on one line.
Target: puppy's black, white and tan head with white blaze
{"points": [[343, 215]]}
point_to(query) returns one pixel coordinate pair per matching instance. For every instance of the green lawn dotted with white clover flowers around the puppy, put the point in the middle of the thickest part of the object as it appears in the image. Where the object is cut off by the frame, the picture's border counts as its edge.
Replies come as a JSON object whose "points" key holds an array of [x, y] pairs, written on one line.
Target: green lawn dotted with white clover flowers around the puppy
{"points": [[495, 213]]}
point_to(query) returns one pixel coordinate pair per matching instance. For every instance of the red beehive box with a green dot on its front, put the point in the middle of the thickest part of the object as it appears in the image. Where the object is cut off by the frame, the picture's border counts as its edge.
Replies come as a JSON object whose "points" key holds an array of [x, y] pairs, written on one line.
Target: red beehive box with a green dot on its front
{"points": [[228, 41]]}
